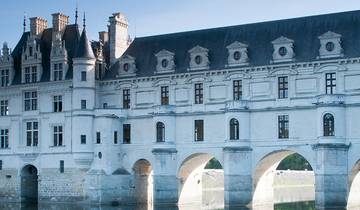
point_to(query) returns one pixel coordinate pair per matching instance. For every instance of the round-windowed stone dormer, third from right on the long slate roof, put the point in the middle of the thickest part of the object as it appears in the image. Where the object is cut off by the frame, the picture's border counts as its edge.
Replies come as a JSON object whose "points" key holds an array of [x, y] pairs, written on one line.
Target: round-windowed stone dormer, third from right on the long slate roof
{"points": [[237, 54]]}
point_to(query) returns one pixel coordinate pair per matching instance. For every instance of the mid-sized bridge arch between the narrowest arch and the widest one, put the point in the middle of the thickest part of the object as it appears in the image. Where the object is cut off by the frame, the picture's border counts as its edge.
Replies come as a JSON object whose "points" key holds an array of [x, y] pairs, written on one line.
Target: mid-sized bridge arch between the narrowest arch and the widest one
{"points": [[191, 186]]}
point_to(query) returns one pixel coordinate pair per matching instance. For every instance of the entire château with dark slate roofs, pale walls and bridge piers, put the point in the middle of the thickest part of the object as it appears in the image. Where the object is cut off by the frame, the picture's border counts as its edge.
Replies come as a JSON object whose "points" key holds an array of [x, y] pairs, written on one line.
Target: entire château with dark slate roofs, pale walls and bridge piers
{"points": [[91, 121]]}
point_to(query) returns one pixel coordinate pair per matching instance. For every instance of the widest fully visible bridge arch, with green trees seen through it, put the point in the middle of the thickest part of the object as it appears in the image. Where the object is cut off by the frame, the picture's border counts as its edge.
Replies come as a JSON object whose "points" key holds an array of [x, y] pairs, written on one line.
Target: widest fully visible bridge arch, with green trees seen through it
{"points": [[265, 173]]}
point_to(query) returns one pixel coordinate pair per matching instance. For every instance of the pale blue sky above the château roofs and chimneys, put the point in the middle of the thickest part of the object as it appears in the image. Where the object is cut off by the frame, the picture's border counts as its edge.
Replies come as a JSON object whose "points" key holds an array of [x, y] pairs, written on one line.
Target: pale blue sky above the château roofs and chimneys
{"points": [[149, 17]]}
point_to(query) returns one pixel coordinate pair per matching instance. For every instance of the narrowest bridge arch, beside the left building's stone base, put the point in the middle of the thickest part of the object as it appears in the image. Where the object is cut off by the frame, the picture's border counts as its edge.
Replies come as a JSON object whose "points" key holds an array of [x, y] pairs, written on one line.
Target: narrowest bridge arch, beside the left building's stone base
{"points": [[143, 181]]}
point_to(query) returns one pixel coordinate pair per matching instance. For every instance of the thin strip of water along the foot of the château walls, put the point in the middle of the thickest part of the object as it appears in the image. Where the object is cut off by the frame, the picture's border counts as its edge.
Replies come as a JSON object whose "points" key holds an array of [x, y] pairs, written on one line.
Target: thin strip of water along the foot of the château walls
{"points": [[42, 206]]}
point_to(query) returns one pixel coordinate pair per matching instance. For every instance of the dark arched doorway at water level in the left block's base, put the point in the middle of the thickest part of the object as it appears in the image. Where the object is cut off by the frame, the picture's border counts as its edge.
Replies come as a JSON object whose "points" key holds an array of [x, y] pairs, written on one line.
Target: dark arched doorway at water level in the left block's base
{"points": [[29, 184]]}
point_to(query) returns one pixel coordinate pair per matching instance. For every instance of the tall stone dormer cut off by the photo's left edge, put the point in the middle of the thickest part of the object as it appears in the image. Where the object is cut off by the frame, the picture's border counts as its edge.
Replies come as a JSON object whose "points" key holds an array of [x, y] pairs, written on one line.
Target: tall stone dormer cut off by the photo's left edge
{"points": [[6, 66]]}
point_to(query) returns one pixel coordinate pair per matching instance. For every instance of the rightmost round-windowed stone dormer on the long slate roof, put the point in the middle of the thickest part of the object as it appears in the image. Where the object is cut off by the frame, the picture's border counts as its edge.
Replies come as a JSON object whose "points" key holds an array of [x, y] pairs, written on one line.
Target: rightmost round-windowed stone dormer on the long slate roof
{"points": [[330, 45]]}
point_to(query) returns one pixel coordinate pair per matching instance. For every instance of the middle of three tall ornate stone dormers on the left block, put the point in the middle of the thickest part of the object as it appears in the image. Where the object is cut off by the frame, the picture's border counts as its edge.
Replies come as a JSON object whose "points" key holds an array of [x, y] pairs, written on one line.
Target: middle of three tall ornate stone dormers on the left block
{"points": [[31, 60]]}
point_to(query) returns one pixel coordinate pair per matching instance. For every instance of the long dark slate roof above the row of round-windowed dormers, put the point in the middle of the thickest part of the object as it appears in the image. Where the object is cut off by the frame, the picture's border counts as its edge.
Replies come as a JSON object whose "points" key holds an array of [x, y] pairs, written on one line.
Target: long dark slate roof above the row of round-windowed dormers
{"points": [[258, 36]]}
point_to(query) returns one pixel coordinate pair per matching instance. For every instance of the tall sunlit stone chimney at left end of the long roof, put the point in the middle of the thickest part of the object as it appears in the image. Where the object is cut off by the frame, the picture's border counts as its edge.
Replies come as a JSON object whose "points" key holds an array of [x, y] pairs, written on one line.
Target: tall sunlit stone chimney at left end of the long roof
{"points": [[118, 36]]}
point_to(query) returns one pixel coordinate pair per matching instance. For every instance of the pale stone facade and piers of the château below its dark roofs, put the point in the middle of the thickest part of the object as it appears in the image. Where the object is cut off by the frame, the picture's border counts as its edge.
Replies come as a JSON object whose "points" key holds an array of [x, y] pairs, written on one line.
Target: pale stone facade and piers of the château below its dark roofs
{"points": [[102, 168]]}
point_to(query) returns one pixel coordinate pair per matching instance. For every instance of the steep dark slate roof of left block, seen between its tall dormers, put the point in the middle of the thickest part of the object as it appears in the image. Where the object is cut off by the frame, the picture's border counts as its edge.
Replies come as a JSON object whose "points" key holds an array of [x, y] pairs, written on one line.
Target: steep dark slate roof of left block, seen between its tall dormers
{"points": [[71, 38]]}
